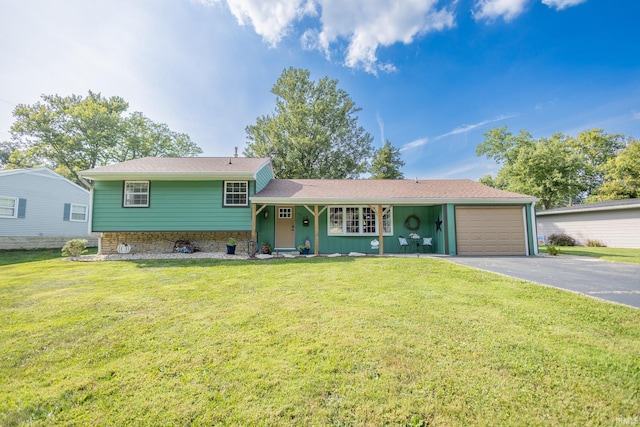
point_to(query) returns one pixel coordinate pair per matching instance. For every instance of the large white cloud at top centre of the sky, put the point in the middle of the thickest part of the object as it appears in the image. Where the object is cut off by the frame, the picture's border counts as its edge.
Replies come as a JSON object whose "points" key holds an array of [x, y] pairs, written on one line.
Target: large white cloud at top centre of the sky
{"points": [[365, 25]]}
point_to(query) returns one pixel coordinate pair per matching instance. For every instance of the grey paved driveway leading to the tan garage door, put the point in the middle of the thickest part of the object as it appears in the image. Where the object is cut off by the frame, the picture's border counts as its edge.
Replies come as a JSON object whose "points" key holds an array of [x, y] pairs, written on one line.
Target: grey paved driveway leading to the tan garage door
{"points": [[608, 281]]}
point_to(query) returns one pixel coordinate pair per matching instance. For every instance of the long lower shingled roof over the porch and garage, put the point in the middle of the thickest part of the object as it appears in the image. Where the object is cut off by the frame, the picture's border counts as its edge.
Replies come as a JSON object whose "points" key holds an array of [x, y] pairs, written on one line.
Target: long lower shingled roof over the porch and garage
{"points": [[384, 191]]}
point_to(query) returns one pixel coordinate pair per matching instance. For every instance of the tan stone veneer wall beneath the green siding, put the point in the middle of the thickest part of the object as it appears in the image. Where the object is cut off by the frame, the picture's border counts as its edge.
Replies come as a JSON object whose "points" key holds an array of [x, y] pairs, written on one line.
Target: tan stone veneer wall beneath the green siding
{"points": [[162, 242]]}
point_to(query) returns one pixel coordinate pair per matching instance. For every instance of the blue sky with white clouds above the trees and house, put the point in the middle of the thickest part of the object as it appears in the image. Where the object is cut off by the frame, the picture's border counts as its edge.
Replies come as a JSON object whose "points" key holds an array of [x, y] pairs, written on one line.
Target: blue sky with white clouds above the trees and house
{"points": [[430, 76]]}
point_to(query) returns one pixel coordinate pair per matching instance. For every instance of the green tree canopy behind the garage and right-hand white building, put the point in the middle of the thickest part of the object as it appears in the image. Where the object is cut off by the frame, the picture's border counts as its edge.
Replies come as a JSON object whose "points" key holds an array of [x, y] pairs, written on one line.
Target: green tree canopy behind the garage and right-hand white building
{"points": [[560, 169]]}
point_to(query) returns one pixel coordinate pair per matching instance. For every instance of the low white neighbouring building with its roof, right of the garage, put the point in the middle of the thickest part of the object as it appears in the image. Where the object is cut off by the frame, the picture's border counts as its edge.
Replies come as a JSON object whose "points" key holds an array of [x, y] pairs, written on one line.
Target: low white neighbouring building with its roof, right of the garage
{"points": [[616, 223]]}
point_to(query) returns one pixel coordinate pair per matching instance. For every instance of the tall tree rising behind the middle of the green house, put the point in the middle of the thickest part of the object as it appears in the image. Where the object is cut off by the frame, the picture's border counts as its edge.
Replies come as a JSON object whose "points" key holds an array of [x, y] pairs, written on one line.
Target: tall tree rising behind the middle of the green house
{"points": [[313, 132]]}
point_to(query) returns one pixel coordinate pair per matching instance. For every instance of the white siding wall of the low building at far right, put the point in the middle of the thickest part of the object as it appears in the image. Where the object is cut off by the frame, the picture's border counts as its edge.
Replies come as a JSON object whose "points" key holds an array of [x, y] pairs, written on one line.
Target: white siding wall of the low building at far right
{"points": [[615, 228]]}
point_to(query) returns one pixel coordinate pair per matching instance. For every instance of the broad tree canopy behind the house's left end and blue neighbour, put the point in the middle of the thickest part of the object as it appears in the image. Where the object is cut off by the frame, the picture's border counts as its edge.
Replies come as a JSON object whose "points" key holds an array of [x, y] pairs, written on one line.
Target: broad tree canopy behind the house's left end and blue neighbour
{"points": [[73, 133]]}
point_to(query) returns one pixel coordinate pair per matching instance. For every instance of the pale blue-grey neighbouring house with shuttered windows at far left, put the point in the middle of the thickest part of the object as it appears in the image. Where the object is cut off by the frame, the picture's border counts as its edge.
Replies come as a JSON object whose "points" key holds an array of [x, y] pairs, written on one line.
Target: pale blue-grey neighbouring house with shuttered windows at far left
{"points": [[41, 209]]}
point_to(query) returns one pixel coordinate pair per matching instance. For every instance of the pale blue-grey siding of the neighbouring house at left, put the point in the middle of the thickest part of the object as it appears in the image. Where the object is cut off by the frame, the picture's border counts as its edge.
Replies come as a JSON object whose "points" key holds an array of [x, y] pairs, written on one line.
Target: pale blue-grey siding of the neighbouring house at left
{"points": [[46, 193]]}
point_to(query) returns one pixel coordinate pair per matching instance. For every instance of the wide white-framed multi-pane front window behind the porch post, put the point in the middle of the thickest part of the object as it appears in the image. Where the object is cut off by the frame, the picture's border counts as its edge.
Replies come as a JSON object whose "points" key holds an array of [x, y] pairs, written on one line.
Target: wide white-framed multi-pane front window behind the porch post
{"points": [[357, 220]]}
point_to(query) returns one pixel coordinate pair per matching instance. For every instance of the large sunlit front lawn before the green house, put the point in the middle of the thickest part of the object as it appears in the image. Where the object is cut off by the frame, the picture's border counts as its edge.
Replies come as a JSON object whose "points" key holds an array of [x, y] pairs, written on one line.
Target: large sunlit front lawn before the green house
{"points": [[320, 341]]}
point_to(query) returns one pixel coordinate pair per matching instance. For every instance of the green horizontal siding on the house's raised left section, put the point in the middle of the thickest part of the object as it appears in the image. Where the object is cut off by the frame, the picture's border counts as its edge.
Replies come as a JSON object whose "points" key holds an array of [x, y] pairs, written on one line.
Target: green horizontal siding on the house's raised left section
{"points": [[174, 206]]}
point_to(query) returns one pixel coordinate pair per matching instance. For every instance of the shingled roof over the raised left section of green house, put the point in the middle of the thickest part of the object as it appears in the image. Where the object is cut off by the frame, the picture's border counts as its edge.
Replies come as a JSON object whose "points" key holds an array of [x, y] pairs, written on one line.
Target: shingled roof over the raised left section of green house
{"points": [[179, 168]]}
